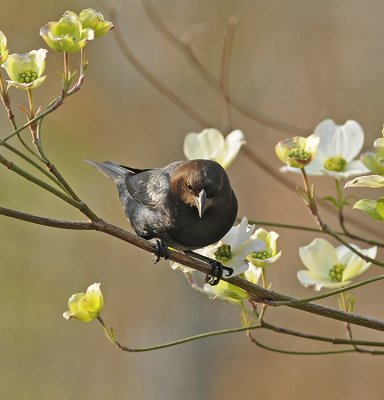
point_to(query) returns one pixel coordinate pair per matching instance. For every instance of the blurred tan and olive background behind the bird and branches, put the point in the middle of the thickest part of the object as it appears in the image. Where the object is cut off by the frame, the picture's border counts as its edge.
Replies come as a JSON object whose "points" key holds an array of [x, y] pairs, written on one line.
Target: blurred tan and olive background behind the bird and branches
{"points": [[293, 64]]}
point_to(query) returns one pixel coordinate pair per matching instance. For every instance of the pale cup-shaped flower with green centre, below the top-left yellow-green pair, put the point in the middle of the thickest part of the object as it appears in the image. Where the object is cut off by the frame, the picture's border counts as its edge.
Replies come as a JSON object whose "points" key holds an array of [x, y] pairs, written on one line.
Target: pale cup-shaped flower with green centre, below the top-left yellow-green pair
{"points": [[26, 69]]}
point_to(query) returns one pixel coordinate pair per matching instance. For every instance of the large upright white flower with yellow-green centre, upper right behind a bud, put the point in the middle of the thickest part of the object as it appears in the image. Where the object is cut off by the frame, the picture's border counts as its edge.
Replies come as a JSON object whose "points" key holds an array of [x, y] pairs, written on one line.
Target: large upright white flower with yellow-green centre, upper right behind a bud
{"points": [[338, 146]]}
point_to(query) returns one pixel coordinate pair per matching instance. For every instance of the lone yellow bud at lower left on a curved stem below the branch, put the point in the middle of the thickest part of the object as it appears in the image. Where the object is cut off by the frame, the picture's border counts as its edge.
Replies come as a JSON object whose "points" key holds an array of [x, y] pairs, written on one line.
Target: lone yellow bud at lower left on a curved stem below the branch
{"points": [[86, 306]]}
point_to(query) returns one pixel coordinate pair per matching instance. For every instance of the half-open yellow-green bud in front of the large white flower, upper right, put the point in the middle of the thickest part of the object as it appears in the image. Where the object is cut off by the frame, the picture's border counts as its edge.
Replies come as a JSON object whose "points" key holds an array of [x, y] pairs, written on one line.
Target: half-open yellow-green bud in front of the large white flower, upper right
{"points": [[298, 151]]}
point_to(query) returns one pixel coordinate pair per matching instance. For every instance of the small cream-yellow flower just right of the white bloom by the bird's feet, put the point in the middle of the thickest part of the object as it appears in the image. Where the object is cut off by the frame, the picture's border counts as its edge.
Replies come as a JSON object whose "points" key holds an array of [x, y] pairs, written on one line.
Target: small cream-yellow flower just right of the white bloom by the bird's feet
{"points": [[267, 256]]}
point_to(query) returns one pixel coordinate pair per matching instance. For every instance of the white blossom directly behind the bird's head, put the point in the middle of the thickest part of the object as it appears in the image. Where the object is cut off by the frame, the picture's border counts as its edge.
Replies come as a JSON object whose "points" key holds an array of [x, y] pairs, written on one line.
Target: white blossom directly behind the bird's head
{"points": [[211, 145]]}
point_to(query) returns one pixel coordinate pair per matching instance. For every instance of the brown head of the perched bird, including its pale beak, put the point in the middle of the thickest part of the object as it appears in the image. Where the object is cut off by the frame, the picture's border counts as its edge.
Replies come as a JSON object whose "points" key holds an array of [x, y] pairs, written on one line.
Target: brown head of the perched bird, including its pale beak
{"points": [[200, 184]]}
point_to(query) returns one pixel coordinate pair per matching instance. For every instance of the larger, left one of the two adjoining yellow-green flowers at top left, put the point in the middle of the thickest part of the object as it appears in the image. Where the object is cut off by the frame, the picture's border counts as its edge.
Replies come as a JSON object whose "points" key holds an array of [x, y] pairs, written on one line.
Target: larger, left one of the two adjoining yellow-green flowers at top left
{"points": [[66, 35]]}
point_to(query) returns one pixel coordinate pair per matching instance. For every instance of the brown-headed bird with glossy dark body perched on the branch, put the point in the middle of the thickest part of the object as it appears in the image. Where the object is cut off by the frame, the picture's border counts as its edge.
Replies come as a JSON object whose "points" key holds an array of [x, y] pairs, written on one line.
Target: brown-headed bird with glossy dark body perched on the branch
{"points": [[186, 204]]}
